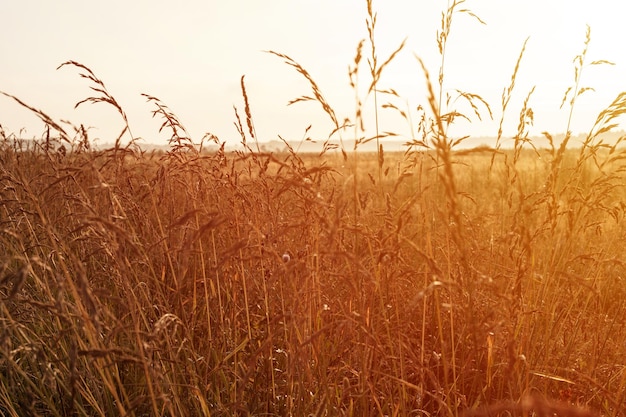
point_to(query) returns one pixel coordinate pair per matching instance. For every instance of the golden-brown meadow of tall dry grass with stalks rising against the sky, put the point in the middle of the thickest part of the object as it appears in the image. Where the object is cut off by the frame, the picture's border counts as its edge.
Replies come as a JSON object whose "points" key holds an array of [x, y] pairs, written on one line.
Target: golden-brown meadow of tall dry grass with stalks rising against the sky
{"points": [[437, 281]]}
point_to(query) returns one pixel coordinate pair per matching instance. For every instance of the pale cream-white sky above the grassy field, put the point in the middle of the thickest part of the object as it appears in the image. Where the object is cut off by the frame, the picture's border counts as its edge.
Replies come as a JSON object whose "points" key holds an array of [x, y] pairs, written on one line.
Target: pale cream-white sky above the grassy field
{"points": [[192, 54]]}
